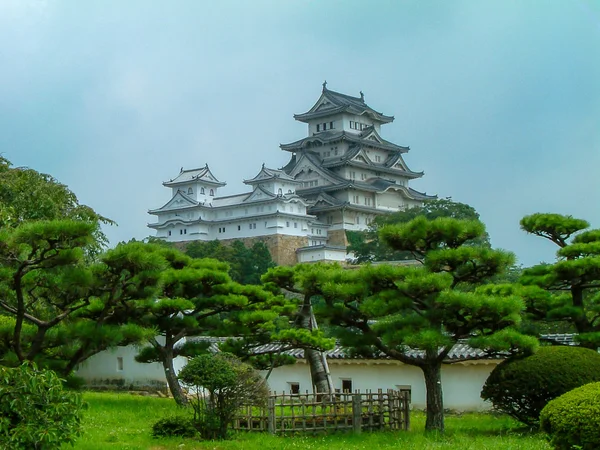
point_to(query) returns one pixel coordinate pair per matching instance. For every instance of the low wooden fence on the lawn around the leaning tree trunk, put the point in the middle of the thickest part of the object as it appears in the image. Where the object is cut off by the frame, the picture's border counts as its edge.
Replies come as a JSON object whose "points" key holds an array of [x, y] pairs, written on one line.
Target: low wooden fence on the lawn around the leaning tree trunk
{"points": [[291, 413]]}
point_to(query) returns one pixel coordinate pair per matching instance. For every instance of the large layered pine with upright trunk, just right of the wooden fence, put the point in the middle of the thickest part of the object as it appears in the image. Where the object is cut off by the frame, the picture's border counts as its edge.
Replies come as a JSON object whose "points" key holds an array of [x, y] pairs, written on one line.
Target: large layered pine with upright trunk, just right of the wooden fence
{"points": [[417, 314]]}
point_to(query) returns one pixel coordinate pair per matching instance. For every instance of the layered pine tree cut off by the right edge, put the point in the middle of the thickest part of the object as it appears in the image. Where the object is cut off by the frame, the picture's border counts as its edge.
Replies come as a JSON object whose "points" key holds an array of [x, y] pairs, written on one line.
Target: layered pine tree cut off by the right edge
{"points": [[571, 283]]}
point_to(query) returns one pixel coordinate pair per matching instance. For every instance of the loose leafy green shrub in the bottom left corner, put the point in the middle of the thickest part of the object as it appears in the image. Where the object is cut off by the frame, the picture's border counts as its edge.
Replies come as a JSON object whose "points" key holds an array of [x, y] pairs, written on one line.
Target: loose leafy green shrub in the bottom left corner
{"points": [[35, 411]]}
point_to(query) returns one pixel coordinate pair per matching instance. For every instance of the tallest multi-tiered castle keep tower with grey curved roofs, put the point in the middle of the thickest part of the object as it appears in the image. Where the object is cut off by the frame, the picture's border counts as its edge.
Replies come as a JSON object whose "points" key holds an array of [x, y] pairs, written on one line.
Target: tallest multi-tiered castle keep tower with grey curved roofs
{"points": [[347, 170]]}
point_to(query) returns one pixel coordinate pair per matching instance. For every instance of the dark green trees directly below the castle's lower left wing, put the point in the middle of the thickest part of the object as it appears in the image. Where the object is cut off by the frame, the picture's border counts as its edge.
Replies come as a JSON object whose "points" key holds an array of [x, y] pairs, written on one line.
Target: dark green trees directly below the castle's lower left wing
{"points": [[247, 265]]}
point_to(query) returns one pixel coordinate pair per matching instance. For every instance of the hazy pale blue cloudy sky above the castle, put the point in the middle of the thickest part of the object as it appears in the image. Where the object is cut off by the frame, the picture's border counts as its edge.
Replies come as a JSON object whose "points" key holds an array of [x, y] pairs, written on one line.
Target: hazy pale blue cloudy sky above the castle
{"points": [[499, 100]]}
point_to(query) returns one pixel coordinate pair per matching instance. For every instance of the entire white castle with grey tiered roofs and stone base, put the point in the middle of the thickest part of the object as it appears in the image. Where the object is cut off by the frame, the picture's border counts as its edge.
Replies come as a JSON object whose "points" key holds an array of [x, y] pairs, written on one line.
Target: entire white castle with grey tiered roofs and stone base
{"points": [[339, 178]]}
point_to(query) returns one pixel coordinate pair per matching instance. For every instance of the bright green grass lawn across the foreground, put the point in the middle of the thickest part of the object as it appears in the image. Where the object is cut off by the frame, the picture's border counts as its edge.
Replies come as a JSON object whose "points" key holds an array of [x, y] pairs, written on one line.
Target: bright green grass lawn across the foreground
{"points": [[124, 421]]}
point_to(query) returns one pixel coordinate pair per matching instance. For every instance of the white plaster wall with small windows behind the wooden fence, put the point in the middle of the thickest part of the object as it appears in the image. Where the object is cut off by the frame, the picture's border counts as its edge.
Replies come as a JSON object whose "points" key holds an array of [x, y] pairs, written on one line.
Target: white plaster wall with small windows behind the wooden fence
{"points": [[461, 383]]}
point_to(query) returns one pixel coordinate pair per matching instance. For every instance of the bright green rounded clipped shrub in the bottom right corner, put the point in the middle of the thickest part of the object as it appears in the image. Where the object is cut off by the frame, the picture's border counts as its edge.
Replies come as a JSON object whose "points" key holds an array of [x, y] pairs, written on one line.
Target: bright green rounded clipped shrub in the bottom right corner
{"points": [[573, 419]]}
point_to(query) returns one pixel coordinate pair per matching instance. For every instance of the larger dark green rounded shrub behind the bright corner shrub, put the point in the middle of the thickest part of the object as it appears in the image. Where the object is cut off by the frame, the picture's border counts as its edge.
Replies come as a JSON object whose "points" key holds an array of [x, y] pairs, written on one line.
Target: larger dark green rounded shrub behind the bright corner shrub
{"points": [[521, 387]]}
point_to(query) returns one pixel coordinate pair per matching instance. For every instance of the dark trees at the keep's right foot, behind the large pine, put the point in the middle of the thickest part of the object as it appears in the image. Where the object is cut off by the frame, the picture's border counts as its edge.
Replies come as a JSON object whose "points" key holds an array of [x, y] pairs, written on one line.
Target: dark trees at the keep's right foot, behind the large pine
{"points": [[367, 246]]}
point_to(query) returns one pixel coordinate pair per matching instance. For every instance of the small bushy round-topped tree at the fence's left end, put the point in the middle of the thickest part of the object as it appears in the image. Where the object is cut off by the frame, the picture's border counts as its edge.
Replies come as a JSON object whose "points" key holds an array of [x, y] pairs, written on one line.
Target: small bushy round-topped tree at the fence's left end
{"points": [[219, 385]]}
